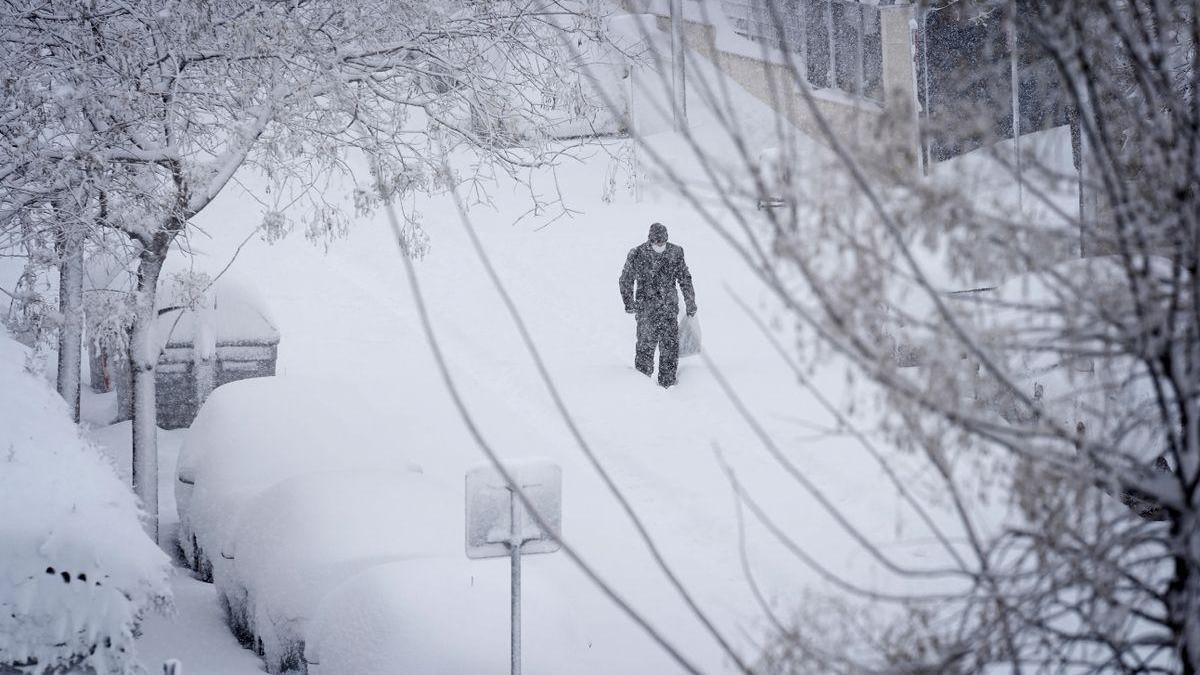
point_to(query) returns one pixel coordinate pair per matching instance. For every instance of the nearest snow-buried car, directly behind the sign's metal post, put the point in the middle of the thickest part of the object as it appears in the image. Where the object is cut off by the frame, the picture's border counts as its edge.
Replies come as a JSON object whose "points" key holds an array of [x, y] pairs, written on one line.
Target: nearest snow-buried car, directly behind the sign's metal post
{"points": [[409, 618]]}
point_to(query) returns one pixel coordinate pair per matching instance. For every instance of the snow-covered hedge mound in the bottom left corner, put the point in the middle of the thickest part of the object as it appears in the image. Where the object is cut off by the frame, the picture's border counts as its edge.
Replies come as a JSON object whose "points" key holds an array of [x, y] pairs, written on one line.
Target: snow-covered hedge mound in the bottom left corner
{"points": [[77, 572]]}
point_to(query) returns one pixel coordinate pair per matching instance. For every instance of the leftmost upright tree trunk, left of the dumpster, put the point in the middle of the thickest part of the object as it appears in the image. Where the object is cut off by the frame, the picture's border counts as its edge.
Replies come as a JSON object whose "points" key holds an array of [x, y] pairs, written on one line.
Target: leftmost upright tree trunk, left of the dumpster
{"points": [[70, 249]]}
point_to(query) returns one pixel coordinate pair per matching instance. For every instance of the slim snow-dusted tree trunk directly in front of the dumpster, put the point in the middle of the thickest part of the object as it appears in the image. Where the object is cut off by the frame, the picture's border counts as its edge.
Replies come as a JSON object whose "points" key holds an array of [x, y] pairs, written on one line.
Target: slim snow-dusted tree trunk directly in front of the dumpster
{"points": [[143, 360]]}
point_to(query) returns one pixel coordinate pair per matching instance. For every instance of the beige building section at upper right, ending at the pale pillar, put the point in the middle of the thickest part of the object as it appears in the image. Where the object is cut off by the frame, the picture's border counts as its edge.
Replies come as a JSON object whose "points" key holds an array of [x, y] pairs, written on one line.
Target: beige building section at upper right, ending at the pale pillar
{"points": [[857, 62]]}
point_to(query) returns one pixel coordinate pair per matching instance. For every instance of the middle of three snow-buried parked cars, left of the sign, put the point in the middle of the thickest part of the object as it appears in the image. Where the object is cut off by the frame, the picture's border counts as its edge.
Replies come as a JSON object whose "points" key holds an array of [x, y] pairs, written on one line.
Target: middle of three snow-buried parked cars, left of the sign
{"points": [[307, 535]]}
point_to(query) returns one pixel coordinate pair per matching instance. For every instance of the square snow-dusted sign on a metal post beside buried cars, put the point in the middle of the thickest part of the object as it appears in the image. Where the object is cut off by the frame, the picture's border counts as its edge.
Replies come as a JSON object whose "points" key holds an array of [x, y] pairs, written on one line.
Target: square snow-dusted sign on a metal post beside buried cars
{"points": [[497, 523]]}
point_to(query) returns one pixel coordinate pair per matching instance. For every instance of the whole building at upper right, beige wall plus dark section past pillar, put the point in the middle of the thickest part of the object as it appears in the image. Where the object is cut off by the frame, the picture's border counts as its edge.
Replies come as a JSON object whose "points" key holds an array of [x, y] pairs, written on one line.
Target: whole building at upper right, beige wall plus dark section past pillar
{"points": [[886, 75]]}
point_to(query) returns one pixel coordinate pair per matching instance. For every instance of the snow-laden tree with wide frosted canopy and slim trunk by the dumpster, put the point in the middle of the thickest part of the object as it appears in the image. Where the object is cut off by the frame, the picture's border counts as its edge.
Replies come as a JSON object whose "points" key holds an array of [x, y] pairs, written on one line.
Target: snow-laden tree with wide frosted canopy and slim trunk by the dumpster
{"points": [[161, 105]]}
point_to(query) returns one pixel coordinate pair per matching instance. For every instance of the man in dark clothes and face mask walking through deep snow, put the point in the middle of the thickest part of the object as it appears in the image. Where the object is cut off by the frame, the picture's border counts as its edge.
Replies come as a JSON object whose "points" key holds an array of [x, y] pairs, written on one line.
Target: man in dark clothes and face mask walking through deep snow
{"points": [[649, 290]]}
